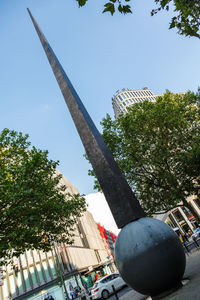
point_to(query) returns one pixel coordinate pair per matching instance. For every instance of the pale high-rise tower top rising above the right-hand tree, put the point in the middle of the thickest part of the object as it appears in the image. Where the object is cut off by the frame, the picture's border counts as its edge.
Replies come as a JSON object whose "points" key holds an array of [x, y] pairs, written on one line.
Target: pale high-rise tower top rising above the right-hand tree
{"points": [[126, 98]]}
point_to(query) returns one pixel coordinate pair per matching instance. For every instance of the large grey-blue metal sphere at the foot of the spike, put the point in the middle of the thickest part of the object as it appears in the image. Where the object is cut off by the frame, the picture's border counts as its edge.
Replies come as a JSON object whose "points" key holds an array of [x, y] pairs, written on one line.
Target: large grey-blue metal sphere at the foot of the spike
{"points": [[150, 257]]}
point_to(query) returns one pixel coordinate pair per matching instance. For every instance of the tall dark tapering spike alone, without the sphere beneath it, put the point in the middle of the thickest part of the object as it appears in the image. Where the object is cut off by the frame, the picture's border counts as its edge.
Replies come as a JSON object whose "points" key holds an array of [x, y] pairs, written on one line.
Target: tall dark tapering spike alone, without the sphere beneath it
{"points": [[121, 200]]}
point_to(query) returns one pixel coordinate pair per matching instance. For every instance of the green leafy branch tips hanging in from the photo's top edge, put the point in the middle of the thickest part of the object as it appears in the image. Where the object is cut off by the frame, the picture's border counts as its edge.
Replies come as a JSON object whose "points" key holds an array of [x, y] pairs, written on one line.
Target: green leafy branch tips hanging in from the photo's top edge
{"points": [[186, 18]]}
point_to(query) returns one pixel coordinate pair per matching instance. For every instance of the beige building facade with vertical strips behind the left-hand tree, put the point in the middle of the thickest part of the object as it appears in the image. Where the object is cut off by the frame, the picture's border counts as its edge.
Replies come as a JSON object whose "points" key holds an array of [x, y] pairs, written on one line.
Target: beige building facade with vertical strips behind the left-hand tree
{"points": [[35, 273]]}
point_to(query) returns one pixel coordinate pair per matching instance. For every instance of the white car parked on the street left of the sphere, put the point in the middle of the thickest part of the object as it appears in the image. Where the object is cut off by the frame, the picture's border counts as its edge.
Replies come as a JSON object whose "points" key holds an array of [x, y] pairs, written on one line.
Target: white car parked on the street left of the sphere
{"points": [[103, 287]]}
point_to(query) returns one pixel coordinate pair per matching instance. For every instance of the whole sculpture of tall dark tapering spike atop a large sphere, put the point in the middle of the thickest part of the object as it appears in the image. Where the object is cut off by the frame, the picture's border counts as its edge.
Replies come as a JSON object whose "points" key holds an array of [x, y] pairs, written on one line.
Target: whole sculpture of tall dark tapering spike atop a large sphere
{"points": [[148, 253]]}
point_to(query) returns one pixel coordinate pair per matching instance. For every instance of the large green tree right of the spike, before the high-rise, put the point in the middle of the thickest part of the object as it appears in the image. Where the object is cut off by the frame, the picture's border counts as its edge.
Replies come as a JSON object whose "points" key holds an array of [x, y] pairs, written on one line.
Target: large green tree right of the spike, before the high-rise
{"points": [[157, 146]]}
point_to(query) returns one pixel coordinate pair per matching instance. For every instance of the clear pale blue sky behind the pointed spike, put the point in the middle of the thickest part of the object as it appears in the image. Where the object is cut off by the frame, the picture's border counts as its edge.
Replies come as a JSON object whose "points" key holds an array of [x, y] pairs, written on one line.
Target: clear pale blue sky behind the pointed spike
{"points": [[100, 54]]}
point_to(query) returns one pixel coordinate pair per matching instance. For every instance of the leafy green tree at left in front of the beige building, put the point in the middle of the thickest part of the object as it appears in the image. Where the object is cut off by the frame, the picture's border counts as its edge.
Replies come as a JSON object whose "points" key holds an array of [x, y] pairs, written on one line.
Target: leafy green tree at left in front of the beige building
{"points": [[35, 207]]}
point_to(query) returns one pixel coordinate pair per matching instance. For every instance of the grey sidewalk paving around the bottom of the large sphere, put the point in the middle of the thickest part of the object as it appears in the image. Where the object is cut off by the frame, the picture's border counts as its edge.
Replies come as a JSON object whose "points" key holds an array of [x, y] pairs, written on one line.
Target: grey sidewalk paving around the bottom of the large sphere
{"points": [[191, 291]]}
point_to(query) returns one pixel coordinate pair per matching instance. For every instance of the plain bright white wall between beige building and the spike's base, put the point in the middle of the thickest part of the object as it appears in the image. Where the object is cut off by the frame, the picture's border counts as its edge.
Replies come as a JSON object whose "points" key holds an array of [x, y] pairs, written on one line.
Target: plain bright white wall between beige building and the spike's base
{"points": [[100, 210]]}
